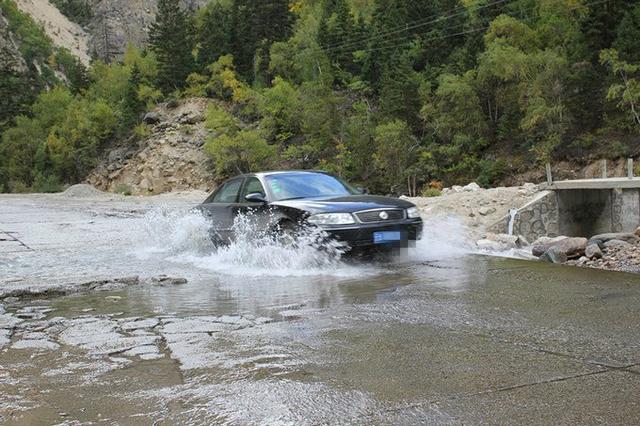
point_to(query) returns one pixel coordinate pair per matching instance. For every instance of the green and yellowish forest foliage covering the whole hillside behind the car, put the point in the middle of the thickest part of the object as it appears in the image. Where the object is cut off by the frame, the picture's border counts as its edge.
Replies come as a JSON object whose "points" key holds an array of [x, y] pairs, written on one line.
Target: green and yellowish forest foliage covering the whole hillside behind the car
{"points": [[378, 91]]}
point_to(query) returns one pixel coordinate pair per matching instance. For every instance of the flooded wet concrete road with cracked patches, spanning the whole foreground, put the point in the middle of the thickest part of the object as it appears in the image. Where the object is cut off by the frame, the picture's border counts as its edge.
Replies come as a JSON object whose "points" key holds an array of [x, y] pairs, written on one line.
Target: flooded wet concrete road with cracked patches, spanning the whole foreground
{"points": [[261, 334]]}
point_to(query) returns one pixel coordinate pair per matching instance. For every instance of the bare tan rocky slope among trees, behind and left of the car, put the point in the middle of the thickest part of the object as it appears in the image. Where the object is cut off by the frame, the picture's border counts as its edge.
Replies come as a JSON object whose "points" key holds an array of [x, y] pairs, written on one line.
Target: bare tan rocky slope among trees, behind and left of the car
{"points": [[170, 158]]}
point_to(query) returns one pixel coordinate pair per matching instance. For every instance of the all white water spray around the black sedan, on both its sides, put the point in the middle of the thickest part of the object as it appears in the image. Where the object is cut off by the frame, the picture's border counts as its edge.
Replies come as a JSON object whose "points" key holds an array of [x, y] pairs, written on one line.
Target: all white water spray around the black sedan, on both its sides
{"points": [[184, 238]]}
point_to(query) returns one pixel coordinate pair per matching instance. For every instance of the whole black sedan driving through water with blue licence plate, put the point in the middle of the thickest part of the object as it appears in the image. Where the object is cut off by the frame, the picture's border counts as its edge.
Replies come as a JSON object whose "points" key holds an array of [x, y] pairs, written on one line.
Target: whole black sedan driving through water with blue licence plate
{"points": [[284, 201]]}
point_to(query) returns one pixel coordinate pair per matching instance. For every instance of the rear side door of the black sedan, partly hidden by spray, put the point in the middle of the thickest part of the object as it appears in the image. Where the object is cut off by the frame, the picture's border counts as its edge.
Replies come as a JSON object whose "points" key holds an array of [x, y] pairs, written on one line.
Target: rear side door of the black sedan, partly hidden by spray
{"points": [[221, 207]]}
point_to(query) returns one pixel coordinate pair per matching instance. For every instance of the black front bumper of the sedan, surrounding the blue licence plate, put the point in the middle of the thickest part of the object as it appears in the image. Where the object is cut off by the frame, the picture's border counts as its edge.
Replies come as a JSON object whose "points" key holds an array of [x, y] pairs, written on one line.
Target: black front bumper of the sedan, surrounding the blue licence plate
{"points": [[361, 234]]}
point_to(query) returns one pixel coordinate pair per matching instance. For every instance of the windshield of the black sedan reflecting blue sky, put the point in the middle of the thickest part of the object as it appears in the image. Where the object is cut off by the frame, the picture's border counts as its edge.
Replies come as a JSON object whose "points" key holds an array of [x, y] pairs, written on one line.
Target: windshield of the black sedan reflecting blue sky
{"points": [[287, 186]]}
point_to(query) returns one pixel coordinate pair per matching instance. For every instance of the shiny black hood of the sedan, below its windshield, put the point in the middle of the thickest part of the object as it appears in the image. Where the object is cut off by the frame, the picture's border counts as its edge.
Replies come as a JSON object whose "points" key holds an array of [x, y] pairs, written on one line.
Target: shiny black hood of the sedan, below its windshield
{"points": [[350, 203]]}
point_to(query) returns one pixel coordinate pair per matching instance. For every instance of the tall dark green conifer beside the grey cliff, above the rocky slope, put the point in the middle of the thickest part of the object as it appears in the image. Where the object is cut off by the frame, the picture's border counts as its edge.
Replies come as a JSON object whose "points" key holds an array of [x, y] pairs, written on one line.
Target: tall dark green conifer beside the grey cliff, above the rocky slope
{"points": [[170, 38]]}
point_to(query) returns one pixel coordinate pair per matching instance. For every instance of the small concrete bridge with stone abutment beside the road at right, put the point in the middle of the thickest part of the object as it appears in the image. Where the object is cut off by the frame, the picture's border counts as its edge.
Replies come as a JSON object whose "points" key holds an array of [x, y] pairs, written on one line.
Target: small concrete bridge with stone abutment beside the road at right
{"points": [[583, 208]]}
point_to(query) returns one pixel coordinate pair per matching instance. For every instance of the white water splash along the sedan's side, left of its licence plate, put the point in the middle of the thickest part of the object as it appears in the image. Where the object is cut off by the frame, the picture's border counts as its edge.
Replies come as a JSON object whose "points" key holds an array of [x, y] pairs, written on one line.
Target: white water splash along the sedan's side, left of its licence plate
{"points": [[254, 252]]}
